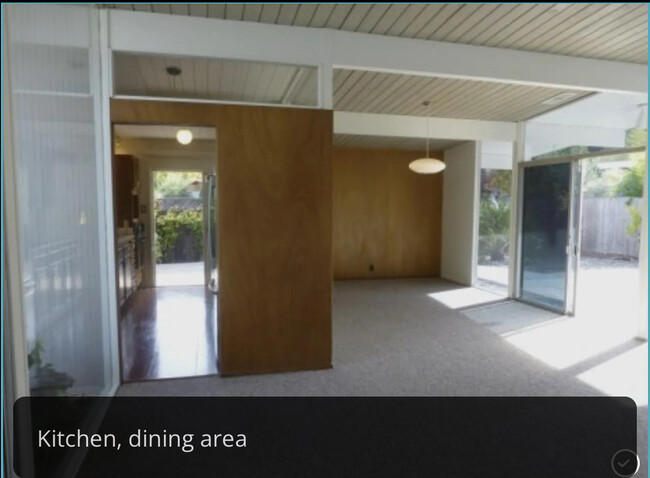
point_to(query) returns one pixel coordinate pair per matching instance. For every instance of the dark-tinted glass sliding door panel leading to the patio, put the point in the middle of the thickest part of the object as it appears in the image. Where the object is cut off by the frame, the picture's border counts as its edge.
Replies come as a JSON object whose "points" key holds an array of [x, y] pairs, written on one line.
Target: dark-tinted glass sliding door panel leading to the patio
{"points": [[549, 232]]}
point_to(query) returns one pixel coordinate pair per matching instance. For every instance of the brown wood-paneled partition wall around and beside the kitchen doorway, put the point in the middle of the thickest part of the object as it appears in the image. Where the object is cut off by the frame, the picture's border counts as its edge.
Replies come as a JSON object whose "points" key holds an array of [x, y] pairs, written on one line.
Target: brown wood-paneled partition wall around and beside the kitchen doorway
{"points": [[274, 203]]}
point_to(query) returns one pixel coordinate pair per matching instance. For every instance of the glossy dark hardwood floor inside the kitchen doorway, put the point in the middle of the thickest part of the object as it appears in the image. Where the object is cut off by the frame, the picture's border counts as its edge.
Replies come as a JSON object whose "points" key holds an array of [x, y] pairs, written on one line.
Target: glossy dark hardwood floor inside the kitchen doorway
{"points": [[169, 332]]}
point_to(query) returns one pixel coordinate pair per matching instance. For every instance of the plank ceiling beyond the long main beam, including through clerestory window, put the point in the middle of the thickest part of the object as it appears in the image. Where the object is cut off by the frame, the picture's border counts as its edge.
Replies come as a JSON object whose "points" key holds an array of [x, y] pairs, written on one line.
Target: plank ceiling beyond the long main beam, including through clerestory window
{"points": [[358, 91]]}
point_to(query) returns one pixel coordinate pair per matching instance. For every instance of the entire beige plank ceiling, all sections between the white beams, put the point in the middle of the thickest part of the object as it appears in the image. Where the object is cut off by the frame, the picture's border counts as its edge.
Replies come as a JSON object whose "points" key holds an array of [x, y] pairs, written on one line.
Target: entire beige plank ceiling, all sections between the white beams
{"points": [[602, 31]]}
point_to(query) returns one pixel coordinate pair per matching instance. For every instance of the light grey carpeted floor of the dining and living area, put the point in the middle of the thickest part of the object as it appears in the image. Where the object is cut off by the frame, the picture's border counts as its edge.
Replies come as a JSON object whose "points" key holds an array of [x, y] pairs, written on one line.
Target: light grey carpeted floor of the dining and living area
{"points": [[396, 337]]}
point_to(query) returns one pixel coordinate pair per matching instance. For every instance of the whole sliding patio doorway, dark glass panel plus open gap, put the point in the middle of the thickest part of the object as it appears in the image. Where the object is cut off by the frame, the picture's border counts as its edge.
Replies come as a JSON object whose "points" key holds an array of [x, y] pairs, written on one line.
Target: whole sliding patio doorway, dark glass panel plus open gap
{"points": [[579, 233]]}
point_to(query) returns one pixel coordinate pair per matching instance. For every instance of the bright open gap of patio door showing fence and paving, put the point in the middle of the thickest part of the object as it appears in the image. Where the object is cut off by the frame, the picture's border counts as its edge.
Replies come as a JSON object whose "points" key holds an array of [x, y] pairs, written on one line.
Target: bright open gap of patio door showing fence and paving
{"points": [[610, 228]]}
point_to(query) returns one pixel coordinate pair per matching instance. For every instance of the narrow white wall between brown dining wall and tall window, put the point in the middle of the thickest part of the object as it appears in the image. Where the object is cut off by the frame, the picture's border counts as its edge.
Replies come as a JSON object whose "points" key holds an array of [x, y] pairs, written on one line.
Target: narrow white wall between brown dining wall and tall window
{"points": [[459, 214]]}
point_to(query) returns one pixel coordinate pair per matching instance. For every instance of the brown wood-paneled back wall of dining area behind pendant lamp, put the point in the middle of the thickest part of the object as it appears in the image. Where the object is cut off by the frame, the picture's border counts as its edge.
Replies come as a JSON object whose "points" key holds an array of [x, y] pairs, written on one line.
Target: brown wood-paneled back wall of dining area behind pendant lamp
{"points": [[386, 217]]}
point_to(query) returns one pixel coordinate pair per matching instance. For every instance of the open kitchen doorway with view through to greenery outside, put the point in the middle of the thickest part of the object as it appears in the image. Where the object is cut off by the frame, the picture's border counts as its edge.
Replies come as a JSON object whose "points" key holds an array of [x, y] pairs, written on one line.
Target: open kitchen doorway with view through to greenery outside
{"points": [[167, 326]]}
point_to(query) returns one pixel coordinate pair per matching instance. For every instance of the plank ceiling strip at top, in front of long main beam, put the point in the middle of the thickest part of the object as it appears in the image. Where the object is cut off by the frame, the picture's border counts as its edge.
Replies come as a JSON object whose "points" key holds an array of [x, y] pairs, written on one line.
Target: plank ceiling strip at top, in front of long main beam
{"points": [[609, 31]]}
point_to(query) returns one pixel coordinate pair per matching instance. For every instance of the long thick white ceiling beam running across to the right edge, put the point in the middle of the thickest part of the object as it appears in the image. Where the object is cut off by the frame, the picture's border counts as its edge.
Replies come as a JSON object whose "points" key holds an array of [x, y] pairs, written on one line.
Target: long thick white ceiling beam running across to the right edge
{"points": [[145, 32]]}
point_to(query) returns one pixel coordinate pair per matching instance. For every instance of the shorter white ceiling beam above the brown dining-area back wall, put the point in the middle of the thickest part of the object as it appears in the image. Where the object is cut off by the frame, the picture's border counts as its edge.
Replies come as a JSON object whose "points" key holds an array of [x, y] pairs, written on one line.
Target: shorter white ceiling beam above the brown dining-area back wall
{"points": [[371, 124]]}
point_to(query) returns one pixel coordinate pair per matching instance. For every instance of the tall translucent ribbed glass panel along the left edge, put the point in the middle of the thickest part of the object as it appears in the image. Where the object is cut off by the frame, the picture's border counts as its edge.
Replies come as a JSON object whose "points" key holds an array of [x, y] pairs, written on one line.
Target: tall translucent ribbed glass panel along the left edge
{"points": [[55, 150]]}
